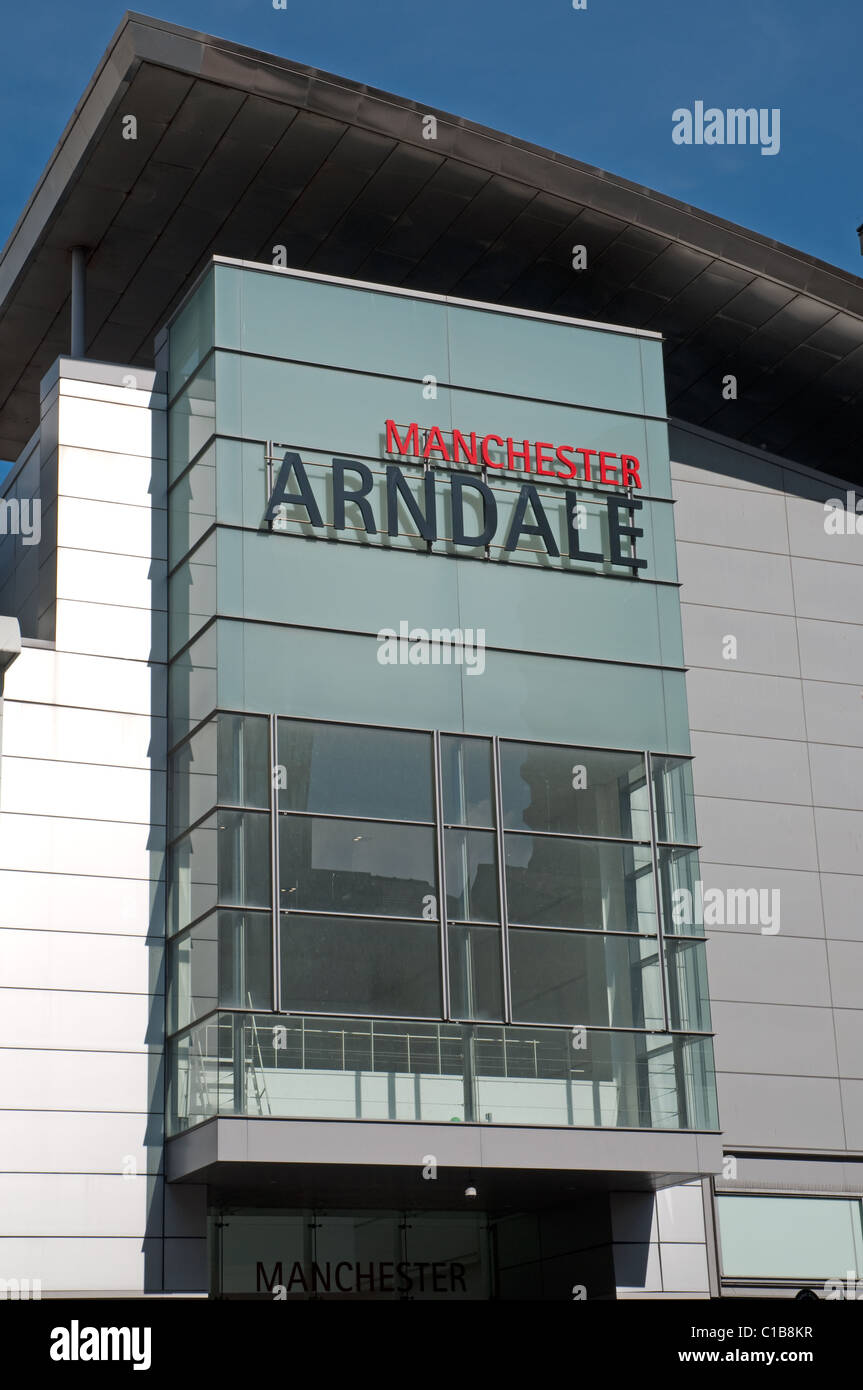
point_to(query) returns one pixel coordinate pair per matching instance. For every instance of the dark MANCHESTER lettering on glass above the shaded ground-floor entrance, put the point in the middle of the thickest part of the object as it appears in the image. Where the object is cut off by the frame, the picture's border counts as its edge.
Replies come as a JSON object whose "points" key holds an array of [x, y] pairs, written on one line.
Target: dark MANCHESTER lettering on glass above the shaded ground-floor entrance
{"points": [[438, 1277]]}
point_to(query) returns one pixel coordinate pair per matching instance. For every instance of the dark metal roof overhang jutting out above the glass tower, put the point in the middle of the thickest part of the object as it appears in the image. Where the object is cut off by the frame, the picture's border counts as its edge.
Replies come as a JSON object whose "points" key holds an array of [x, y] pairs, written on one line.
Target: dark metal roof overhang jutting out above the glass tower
{"points": [[238, 152]]}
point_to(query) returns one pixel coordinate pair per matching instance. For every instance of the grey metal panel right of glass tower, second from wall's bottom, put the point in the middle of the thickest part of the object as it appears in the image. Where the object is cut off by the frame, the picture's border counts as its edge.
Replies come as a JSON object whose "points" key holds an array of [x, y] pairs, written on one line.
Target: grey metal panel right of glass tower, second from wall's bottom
{"points": [[775, 1039]]}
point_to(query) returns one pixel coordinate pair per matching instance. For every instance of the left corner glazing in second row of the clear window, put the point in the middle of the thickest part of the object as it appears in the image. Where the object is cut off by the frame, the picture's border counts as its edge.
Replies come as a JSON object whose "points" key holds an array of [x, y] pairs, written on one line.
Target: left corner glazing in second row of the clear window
{"points": [[223, 861]]}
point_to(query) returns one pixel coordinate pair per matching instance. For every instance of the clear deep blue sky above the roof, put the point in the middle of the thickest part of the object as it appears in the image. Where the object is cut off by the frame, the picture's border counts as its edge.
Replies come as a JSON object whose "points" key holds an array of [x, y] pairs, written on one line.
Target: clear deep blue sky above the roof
{"points": [[598, 84]]}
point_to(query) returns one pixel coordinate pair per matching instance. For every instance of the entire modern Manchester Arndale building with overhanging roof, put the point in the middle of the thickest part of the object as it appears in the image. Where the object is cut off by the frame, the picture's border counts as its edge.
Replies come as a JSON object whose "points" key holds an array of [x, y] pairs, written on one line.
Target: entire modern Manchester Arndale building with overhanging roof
{"points": [[431, 815]]}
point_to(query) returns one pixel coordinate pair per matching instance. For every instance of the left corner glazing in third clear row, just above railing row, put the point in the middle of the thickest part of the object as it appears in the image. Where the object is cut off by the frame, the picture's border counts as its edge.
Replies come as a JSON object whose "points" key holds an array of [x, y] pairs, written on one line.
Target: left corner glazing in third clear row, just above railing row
{"points": [[226, 960]]}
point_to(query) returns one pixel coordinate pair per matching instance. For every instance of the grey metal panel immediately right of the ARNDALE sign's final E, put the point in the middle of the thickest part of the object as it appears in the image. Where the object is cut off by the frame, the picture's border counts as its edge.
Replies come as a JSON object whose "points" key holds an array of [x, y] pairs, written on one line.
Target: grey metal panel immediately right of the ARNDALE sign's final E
{"points": [[730, 518]]}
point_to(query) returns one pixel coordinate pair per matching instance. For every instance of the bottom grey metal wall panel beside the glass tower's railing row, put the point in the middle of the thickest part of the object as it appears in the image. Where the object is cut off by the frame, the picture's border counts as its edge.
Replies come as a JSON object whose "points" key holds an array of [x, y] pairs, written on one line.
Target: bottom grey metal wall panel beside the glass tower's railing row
{"points": [[783, 1111]]}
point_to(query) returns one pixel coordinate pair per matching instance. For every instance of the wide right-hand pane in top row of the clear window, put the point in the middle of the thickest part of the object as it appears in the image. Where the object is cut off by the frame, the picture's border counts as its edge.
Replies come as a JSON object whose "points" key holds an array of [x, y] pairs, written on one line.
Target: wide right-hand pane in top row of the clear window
{"points": [[575, 792]]}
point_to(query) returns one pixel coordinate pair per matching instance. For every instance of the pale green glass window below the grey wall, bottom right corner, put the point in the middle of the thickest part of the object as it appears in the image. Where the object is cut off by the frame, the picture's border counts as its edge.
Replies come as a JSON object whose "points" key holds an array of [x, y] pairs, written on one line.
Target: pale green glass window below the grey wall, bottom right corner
{"points": [[790, 1238]]}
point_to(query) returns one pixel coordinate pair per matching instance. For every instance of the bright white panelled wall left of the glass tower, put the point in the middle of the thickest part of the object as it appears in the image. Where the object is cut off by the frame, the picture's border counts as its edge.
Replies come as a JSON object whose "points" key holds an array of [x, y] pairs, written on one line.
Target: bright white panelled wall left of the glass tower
{"points": [[83, 803]]}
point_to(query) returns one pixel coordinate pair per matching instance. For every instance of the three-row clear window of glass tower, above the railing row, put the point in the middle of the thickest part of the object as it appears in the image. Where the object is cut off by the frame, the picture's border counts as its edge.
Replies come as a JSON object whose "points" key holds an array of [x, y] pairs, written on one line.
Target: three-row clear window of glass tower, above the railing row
{"points": [[451, 878]]}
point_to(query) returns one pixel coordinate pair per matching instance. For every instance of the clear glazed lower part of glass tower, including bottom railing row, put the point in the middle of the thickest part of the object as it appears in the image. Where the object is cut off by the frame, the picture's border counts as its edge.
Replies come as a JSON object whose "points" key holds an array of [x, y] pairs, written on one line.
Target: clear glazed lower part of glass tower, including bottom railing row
{"points": [[394, 924]]}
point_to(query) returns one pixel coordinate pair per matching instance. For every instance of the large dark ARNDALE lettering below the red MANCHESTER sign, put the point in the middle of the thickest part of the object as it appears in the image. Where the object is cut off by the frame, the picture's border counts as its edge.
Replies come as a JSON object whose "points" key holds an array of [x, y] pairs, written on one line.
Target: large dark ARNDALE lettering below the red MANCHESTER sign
{"points": [[354, 487]]}
